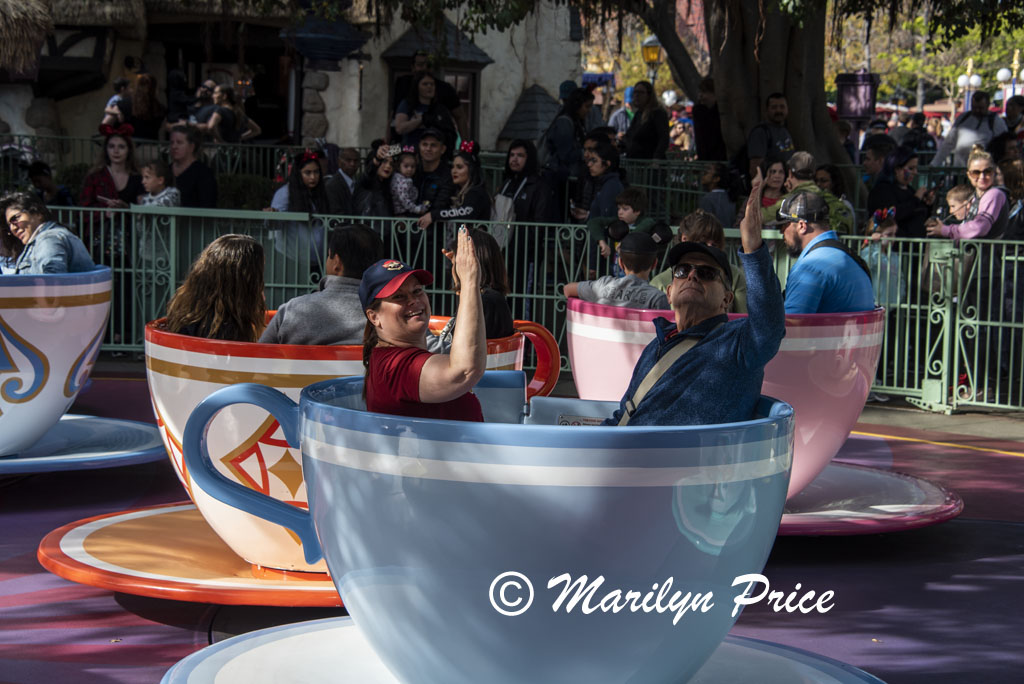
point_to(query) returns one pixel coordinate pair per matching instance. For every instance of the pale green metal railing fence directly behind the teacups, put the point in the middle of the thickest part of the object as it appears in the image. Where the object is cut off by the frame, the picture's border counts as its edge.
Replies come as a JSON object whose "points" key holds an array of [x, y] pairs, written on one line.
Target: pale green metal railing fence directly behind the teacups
{"points": [[955, 330]]}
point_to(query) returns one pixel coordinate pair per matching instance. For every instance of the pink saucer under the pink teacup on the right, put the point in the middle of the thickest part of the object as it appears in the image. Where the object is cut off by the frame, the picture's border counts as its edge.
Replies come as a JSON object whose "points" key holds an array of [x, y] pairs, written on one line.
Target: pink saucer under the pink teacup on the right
{"points": [[855, 500]]}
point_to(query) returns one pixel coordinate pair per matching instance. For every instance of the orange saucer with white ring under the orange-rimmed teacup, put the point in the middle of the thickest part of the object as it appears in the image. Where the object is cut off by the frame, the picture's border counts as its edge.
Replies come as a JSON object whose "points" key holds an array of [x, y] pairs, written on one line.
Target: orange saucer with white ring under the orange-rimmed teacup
{"points": [[170, 552]]}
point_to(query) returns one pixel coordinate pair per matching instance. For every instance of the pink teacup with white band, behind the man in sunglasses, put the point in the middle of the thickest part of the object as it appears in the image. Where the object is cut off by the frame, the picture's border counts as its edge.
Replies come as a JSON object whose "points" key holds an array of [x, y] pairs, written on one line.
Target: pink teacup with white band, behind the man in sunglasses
{"points": [[825, 369]]}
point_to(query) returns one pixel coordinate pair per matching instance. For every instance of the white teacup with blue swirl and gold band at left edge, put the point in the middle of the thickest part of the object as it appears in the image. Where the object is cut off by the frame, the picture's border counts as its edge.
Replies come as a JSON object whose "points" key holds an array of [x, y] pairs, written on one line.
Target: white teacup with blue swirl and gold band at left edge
{"points": [[52, 327]]}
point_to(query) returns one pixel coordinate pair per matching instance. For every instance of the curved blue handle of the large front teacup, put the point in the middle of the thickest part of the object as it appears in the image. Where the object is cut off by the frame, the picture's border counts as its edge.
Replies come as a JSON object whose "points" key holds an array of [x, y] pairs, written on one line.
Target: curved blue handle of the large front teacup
{"points": [[201, 469]]}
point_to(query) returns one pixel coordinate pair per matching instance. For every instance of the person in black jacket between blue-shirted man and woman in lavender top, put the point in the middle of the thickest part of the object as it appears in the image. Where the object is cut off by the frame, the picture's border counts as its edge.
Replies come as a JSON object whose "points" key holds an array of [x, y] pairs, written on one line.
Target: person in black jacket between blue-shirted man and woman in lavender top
{"points": [[895, 189]]}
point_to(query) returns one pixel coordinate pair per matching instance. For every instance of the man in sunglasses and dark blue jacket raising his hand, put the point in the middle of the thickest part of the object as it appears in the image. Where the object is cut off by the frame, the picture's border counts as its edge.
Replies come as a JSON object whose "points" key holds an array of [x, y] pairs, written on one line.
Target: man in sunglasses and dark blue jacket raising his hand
{"points": [[702, 368]]}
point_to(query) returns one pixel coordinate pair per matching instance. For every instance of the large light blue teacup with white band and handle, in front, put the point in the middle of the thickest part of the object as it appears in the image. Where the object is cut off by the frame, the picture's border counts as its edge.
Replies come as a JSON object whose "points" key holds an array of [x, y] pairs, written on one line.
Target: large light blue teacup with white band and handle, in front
{"points": [[439, 533]]}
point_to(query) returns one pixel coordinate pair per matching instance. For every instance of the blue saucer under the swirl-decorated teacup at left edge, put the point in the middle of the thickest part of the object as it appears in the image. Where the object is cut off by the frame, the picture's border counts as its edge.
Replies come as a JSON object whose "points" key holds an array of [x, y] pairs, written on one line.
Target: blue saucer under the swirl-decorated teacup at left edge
{"points": [[79, 443]]}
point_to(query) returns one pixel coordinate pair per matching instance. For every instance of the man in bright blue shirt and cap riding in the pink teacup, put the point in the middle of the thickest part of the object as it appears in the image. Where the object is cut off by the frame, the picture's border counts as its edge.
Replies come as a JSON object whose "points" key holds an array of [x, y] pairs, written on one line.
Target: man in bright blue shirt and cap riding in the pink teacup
{"points": [[827, 277]]}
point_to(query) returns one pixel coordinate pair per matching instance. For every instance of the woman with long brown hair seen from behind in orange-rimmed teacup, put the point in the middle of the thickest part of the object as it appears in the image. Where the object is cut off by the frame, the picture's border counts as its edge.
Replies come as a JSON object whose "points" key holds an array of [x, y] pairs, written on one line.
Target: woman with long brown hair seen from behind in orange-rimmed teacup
{"points": [[223, 296]]}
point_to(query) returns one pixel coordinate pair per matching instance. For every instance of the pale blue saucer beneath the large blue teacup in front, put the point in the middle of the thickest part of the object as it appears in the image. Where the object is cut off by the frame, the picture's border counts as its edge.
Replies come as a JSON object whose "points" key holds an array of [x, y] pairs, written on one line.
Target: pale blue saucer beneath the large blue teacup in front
{"points": [[335, 651]]}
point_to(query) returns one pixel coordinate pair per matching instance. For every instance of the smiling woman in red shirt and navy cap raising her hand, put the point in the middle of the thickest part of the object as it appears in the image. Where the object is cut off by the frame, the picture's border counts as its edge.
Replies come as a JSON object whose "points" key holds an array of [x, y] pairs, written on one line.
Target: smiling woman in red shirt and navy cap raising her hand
{"points": [[403, 378]]}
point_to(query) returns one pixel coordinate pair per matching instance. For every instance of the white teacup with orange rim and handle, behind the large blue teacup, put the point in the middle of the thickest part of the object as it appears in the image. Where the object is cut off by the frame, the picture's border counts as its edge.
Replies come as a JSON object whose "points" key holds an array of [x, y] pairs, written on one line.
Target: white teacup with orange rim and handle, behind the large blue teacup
{"points": [[246, 443]]}
